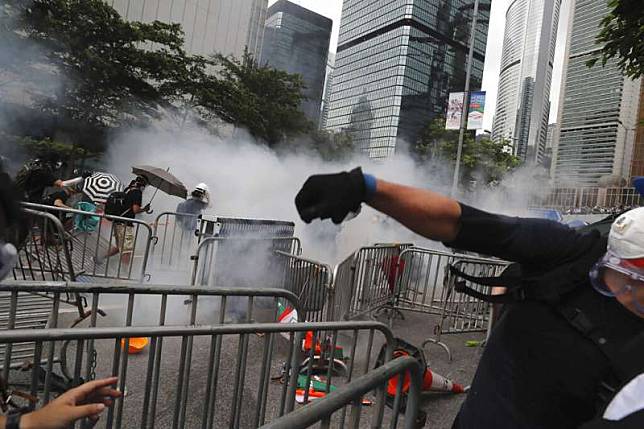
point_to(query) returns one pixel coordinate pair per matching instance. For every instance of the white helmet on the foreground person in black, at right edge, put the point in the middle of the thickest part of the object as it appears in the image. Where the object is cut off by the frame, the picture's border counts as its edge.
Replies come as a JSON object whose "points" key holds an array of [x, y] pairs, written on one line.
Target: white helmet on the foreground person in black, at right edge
{"points": [[626, 238]]}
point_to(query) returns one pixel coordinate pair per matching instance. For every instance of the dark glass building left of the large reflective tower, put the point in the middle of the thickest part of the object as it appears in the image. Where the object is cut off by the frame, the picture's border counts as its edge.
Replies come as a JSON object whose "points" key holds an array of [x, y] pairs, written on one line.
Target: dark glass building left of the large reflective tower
{"points": [[296, 40]]}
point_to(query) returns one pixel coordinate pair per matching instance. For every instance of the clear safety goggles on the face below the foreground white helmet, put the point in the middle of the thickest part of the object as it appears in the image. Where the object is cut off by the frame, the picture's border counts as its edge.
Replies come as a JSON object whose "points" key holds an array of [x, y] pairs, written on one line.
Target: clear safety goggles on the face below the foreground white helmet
{"points": [[633, 272]]}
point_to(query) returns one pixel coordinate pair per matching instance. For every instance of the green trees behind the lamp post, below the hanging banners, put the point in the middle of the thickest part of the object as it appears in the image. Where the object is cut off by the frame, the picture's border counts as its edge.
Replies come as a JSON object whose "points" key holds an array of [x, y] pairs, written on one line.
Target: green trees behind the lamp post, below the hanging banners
{"points": [[482, 159]]}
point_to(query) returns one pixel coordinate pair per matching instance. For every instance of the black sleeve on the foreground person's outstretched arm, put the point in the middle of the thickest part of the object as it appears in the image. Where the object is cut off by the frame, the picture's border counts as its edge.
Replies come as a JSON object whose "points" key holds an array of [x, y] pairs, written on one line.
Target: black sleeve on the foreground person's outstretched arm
{"points": [[524, 240]]}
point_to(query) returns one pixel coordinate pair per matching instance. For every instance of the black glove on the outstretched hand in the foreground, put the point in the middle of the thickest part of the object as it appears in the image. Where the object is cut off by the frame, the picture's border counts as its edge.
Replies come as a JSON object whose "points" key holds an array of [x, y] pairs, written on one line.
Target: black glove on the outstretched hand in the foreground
{"points": [[331, 196]]}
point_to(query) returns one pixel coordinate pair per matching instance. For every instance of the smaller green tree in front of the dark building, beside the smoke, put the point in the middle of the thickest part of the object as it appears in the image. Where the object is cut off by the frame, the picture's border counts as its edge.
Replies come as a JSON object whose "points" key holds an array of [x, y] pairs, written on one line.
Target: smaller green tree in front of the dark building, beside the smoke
{"points": [[261, 99]]}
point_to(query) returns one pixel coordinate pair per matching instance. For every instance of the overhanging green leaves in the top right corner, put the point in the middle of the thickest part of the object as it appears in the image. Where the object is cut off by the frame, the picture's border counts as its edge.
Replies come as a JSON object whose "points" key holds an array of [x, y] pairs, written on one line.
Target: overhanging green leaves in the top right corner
{"points": [[622, 33]]}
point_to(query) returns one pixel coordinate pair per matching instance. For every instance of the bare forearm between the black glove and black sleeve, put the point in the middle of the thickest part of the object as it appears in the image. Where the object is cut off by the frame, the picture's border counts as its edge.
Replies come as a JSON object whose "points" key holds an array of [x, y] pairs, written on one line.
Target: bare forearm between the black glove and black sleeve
{"points": [[427, 213]]}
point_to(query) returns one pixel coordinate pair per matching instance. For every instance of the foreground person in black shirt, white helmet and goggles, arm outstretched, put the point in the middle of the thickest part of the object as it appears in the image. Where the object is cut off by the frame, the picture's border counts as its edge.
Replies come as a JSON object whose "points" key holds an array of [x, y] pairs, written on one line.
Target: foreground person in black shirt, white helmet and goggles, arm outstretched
{"points": [[538, 370]]}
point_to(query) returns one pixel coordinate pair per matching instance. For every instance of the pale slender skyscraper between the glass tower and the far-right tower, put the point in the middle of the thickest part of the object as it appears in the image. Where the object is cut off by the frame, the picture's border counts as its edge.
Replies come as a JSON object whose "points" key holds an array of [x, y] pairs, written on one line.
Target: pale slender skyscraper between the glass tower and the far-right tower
{"points": [[523, 98]]}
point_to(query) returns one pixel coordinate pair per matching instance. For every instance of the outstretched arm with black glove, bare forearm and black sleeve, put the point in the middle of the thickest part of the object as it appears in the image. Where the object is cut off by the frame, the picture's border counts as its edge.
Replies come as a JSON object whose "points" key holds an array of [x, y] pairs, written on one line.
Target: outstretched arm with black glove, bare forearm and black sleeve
{"points": [[534, 241]]}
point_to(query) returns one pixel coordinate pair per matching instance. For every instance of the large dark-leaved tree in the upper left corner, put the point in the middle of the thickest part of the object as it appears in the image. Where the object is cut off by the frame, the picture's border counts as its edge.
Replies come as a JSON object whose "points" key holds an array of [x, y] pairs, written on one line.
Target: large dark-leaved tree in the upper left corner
{"points": [[111, 71]]}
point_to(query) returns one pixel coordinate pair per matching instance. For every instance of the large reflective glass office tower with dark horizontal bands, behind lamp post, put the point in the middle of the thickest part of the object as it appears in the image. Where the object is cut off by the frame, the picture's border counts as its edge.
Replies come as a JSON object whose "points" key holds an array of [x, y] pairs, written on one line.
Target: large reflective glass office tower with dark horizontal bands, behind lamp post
{"points": [[396, 64]]}
